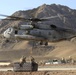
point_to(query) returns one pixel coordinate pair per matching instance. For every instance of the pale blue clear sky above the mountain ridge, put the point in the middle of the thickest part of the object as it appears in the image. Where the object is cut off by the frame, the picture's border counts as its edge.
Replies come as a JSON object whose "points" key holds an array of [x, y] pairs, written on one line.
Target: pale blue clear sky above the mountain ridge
{"points": [[8, 7]]}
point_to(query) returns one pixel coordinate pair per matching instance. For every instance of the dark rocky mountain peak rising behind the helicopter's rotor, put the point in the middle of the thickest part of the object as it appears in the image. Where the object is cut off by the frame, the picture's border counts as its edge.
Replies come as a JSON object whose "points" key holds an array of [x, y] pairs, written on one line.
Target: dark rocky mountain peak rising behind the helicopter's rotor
{"points": [[67, 16]]}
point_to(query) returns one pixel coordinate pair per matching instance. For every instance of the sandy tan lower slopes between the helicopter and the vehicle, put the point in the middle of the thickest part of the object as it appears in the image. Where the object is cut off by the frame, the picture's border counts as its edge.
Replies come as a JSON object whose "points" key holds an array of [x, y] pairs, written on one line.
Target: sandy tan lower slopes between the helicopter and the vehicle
{"points": [[15, 51]]}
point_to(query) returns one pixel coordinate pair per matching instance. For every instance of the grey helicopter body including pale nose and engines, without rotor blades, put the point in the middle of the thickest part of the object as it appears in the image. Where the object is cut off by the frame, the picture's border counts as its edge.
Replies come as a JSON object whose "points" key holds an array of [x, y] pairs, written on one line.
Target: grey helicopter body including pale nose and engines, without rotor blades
{"points": [[27, 32]]}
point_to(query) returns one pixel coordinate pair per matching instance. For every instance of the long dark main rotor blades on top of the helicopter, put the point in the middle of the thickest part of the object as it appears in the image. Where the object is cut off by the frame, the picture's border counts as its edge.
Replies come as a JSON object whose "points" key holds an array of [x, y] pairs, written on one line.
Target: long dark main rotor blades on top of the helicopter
{"points": [[28, 19]]}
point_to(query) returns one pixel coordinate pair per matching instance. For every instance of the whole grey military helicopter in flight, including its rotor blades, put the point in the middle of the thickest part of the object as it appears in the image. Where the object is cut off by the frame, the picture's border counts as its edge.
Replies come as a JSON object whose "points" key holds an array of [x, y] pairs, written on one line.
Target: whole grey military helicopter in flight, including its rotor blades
{"points": [[43, 34]]}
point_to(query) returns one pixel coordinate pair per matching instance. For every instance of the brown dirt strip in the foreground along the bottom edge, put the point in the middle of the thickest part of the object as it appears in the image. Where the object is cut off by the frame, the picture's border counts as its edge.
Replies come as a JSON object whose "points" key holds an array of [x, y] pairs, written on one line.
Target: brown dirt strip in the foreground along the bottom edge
{"points": [[40, 73]]}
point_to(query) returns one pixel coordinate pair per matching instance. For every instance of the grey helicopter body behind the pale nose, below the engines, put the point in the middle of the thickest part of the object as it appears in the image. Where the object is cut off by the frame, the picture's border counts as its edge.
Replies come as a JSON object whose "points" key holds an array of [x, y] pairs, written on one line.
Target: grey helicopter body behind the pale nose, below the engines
{"points": [[43, 35]]}
